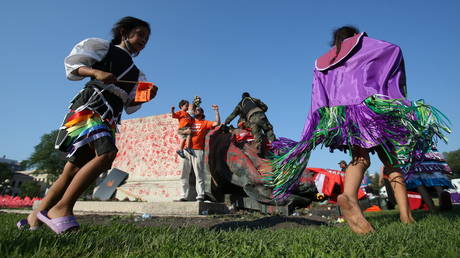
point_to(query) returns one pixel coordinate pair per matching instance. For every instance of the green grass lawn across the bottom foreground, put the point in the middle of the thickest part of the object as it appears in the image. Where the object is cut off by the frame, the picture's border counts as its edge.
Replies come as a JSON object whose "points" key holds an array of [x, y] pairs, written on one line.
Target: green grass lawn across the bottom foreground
{"points": [[434, 235]]}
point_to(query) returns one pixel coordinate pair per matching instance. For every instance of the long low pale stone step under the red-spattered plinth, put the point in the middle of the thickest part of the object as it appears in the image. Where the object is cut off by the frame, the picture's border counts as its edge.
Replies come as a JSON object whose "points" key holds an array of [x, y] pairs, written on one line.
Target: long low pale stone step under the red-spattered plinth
{"points": [[152, 208]]}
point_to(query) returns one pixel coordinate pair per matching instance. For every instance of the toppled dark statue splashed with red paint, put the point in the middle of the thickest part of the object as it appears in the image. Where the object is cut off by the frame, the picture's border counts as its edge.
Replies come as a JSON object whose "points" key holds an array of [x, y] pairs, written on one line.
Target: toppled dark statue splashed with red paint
{"points": [[234, 168]]}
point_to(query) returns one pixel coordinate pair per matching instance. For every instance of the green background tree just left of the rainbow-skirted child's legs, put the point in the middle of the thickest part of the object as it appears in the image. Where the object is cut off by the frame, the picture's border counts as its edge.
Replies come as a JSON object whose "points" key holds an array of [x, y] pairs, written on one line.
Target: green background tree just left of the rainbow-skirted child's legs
{"points": [[45, 158]]}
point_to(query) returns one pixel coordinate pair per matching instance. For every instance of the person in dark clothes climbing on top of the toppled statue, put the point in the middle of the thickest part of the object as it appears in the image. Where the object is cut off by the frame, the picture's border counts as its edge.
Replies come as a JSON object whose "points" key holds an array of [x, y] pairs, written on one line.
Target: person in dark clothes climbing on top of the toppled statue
{"points": [[252, 111]]}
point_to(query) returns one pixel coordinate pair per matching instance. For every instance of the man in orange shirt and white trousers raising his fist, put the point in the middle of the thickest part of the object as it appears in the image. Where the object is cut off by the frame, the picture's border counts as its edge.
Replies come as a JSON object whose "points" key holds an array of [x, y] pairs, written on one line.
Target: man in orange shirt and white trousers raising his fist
{"points": [[200, 128]]}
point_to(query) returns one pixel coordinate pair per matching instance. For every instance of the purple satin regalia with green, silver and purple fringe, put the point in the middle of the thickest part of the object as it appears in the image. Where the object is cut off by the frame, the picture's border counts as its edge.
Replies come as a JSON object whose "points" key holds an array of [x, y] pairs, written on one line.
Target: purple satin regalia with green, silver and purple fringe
{"points": [[358, 99]]}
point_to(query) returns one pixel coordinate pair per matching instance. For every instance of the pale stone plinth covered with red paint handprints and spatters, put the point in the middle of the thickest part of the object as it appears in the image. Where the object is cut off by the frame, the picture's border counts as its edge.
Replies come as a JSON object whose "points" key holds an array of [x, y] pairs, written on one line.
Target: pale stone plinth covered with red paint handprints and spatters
{"points": [[147, 151]]}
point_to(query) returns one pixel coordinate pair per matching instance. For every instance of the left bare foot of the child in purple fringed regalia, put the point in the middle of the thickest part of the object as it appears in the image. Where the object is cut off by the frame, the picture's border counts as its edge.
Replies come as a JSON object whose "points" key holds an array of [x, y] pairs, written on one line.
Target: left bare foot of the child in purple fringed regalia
{"points": [[353, 215]]}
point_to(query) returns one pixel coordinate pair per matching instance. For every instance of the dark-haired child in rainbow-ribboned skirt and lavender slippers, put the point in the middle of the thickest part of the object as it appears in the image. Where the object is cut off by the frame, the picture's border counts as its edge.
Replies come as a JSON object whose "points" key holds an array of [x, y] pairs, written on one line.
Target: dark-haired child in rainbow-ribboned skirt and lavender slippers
{"points": [[87, 134]]}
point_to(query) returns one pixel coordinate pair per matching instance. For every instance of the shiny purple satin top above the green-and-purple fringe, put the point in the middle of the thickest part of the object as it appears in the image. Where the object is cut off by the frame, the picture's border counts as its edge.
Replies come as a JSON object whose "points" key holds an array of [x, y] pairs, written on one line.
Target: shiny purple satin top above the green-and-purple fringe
{"points": [[373, 67]]}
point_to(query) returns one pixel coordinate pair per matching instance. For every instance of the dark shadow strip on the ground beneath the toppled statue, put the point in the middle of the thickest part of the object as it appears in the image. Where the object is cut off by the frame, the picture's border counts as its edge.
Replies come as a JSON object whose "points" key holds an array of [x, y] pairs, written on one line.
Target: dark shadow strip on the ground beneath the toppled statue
{"points": [[268, 222]]}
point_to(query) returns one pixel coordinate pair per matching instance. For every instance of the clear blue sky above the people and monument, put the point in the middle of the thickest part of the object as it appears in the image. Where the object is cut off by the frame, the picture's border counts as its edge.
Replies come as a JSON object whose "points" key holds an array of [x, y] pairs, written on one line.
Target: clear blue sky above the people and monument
{"points": [[218, 49]]}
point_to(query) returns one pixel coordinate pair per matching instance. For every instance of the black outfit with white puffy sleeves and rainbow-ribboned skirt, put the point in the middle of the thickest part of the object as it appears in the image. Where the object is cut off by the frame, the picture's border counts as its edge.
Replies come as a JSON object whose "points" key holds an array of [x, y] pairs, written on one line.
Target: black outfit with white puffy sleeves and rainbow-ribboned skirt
{"points": [[96, 110]]}
